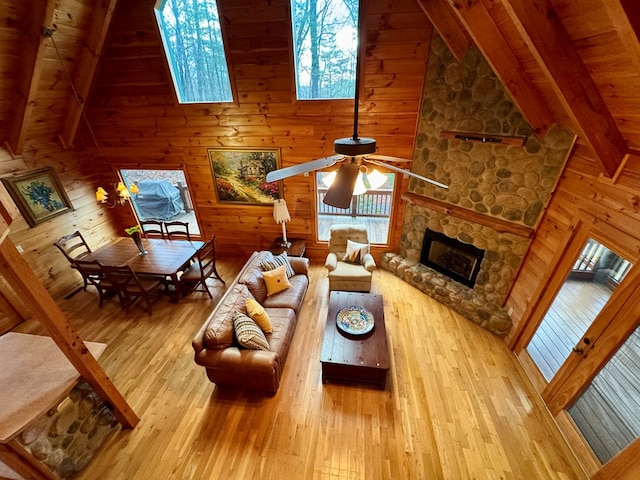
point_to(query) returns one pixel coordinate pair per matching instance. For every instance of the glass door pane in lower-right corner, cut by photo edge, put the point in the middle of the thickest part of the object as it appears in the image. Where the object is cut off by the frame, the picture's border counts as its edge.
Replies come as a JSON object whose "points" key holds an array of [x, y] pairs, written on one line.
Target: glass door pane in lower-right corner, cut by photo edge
{"points": [[607, 412]]}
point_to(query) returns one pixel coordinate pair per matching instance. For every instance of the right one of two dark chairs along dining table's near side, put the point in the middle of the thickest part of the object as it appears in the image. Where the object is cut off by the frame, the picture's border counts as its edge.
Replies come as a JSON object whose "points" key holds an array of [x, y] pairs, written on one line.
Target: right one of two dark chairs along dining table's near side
{"points": [[131, 286]]}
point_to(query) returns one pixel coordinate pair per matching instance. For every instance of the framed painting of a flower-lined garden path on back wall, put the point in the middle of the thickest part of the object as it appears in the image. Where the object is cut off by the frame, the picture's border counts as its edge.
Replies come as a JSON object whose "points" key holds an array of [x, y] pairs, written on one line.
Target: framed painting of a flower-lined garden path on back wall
{"points": [[239, 175]]}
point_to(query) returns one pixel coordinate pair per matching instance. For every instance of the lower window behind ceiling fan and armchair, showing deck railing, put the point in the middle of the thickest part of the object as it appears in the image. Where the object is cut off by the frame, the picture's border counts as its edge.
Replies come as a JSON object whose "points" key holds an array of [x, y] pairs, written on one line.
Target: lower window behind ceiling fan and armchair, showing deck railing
{"points": [[369, 206]]}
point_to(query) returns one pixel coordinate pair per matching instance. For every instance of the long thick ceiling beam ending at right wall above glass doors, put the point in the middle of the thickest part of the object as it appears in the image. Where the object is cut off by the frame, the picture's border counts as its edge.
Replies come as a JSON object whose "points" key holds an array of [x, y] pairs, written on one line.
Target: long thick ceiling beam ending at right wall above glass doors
{"points": [[545, 36]]}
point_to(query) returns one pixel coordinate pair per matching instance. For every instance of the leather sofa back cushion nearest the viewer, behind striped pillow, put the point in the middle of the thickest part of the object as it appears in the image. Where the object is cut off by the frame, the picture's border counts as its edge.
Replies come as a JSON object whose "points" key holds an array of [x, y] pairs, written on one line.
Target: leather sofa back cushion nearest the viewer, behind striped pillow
{"points": [[219, 331]]}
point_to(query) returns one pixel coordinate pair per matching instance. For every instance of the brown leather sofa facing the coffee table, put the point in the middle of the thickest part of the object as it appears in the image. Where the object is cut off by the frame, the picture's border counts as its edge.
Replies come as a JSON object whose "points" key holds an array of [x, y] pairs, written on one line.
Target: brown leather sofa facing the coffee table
{"points": [[215, 345]]}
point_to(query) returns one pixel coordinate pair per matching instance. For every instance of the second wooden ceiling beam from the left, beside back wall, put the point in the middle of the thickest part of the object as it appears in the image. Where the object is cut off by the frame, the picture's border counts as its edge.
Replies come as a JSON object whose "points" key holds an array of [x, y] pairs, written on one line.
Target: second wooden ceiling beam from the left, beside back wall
{"points": [[86, 66]]}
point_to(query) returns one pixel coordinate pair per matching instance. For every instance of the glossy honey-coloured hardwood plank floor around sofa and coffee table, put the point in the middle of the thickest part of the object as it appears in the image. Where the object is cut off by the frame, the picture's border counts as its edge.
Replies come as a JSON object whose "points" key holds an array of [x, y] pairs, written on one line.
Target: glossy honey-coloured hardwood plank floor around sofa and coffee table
{"points": [[456, 405]]}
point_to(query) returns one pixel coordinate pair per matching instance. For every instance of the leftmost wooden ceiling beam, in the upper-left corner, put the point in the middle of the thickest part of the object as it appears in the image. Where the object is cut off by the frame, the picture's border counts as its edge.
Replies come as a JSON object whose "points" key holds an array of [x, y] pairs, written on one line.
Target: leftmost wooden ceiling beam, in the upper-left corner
{"points": [[27, 74]]}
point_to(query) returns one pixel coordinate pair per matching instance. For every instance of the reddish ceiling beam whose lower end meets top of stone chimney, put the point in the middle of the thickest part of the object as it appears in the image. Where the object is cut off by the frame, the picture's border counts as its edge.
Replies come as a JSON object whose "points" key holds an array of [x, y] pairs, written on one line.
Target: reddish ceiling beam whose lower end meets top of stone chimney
{"points": [[496, 50]]}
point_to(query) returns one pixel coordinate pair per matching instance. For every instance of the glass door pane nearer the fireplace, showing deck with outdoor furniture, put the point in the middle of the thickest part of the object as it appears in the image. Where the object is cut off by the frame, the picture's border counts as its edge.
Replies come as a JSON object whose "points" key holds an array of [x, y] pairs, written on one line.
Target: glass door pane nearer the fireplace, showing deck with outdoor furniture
{"points": [[595, 275]]}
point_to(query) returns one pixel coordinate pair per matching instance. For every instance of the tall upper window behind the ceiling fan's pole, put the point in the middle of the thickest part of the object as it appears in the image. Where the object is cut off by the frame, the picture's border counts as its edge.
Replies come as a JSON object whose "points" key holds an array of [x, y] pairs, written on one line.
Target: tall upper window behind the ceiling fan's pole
{"points": [[325, 44]]}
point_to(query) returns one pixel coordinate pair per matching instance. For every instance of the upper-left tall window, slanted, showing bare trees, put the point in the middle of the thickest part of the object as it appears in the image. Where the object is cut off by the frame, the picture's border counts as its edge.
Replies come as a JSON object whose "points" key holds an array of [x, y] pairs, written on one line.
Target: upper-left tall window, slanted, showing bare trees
{"points": [[192, 40]]}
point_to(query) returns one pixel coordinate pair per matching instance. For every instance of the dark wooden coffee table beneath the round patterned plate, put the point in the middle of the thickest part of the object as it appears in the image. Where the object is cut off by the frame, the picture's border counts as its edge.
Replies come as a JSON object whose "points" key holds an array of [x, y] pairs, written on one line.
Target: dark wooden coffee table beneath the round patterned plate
{"points": [[355, 358]]}
